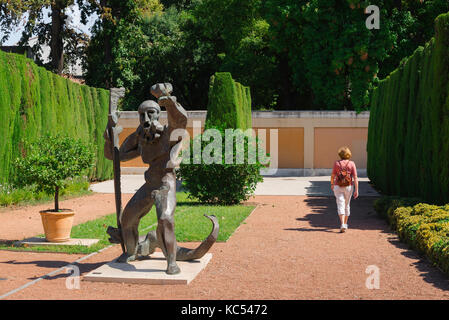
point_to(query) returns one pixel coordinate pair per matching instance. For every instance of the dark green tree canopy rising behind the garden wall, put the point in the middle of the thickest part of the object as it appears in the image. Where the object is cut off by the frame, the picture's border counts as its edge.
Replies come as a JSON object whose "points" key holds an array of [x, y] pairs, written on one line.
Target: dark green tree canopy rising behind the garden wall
{"points": [[294, 54]]}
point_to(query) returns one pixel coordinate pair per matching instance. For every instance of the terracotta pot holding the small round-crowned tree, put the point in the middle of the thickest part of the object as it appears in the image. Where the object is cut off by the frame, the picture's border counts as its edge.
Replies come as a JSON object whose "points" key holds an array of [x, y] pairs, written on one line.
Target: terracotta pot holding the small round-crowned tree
{"points": [[57, 225]]}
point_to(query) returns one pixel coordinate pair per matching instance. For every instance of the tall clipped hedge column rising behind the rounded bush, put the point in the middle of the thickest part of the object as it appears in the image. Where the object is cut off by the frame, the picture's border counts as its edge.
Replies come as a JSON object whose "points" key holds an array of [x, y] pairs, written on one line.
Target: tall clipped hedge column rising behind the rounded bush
{"points": [[229, 104]]}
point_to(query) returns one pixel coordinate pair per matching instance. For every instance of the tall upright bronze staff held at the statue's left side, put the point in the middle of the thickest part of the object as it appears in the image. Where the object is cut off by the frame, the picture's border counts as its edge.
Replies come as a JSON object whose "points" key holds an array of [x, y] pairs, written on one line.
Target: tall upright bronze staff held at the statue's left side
{"points": [[114, 131]]}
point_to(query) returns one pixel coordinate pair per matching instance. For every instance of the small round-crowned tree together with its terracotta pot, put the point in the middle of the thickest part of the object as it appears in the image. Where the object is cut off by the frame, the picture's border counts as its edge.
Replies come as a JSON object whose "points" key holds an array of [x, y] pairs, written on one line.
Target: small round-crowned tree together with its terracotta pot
{"points": [[48, 164]]}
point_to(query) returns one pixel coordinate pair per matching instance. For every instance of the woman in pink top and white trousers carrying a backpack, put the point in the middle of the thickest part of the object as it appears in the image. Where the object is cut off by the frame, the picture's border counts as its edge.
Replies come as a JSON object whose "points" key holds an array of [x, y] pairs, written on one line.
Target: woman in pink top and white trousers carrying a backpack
{"points": [[344, 182]]}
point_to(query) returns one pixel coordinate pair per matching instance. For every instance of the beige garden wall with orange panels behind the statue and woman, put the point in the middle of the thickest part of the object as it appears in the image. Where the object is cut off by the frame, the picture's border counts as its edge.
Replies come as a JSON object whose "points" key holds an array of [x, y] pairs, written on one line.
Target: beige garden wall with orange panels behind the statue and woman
{"points": [[307, 141]]}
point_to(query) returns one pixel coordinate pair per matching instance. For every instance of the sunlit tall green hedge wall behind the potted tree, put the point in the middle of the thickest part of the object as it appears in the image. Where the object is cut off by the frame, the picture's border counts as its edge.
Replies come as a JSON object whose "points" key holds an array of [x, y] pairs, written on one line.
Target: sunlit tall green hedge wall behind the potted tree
{"points": [[34, 101]]}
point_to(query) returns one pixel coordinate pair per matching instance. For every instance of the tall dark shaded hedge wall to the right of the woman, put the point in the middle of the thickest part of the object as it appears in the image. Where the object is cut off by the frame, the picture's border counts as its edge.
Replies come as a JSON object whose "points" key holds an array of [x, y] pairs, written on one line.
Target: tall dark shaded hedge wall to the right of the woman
{"points": [[408, 134]]}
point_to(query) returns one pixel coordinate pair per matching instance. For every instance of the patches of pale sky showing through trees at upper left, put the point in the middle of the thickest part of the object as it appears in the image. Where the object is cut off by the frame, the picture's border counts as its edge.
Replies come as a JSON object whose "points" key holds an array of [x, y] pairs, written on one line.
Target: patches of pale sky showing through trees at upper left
{"points": [[74, 15]]}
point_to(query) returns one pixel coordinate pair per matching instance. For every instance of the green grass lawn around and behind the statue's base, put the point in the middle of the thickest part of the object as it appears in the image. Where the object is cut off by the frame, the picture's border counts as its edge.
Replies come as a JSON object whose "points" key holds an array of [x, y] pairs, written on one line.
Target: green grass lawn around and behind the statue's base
{"points": [[190, 225]]}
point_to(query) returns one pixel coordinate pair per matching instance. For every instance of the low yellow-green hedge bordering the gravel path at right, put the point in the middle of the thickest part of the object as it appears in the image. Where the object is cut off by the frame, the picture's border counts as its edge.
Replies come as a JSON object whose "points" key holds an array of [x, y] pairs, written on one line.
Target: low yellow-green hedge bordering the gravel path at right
{"points": [[424, 227]]}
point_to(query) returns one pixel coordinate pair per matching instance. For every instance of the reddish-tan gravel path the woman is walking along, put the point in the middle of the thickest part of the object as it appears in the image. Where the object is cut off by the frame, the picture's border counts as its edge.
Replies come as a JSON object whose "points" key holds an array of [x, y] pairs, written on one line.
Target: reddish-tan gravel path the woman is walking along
{"points": [[288, 248]]}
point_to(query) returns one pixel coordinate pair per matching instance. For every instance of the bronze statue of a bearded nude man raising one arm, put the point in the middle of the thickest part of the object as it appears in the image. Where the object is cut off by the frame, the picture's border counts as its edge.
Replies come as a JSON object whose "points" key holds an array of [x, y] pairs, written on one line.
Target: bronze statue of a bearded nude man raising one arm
{"points": [[152, 141]]}
